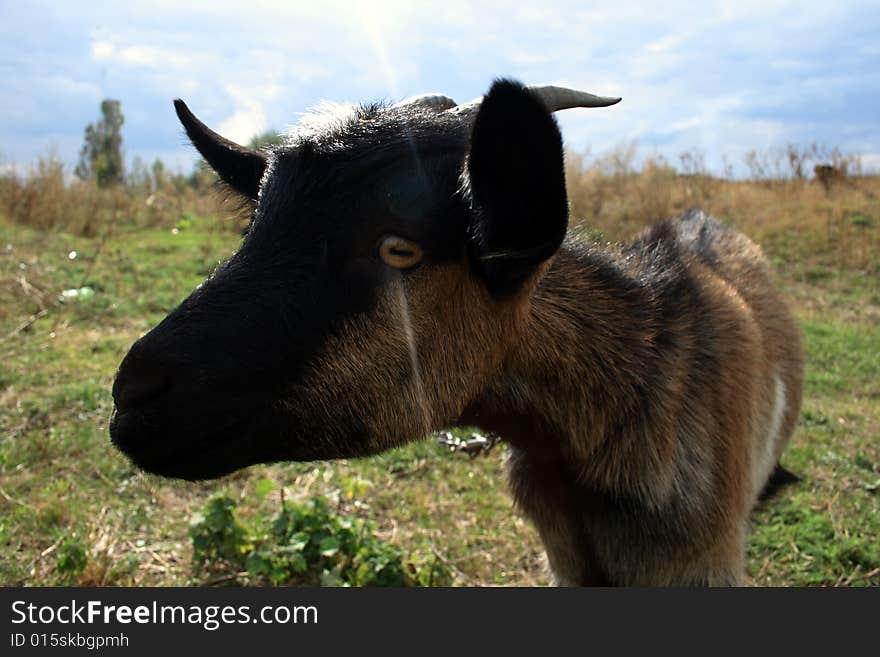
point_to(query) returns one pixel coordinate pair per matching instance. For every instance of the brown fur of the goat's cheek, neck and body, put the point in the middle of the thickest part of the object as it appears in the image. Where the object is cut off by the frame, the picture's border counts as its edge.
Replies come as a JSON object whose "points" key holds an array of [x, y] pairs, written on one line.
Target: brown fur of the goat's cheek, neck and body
{"points": [[638, 434]]}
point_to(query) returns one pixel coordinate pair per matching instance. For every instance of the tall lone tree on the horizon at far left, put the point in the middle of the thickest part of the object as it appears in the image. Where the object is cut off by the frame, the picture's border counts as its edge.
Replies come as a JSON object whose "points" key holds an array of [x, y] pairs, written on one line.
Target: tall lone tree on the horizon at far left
{"points": [[101, 156]]}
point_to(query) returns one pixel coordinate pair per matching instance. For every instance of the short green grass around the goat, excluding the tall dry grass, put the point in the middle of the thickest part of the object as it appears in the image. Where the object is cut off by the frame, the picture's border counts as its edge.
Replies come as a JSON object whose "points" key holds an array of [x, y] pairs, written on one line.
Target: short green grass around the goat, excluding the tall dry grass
{"points": [[72, 510]]}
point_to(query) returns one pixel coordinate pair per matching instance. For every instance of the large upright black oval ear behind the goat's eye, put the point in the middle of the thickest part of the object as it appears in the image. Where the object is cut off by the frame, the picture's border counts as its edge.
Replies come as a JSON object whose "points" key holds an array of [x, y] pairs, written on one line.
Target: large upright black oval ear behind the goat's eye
{"points": [[516, 179]]}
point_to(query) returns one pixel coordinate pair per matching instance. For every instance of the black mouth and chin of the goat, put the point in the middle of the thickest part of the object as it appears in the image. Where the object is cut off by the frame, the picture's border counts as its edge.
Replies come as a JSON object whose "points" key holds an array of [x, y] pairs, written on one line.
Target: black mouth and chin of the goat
{"points": [[190, 454]]}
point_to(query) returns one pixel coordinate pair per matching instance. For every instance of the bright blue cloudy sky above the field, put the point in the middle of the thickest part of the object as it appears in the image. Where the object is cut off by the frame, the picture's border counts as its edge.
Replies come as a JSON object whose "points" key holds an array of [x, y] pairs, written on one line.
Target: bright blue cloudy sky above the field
{"points": [[721, 77]]}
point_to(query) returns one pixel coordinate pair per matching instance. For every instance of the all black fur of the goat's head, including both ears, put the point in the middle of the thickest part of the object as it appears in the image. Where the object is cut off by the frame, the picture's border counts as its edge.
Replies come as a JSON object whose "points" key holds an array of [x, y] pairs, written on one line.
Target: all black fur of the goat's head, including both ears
{"points": [[216, 385]]}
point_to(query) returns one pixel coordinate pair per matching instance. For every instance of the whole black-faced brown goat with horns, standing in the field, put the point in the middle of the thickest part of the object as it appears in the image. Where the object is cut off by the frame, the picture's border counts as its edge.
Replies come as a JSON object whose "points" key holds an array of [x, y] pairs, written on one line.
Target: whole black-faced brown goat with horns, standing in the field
{"points": [[408, 268]]}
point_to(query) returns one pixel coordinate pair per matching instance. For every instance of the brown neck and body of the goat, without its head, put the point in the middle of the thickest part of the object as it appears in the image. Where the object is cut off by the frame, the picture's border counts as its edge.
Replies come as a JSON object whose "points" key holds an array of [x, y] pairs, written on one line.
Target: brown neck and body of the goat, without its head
{"points": [[652, 395]]}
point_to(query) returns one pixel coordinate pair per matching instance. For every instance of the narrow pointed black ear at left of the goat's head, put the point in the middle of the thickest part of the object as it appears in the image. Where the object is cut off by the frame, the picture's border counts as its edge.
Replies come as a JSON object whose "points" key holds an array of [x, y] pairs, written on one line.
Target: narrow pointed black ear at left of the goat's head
{"points": [[239, 167]]}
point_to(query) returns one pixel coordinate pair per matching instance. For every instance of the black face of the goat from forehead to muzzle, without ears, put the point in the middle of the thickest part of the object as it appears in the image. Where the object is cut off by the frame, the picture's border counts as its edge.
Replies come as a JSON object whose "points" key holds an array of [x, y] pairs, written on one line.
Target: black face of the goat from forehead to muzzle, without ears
{"points": [[205, 391]]}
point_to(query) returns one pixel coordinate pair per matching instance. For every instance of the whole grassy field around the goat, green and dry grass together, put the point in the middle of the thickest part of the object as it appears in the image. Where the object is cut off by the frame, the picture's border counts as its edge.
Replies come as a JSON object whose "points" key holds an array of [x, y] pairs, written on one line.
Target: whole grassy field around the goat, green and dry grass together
{"points": [[72, 510]]}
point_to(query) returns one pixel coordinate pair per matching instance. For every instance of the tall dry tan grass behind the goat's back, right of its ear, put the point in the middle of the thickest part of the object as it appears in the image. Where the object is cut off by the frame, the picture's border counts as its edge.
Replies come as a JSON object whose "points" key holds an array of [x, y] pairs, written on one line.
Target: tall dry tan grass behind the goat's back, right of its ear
{"points": [[789, 216]]}
